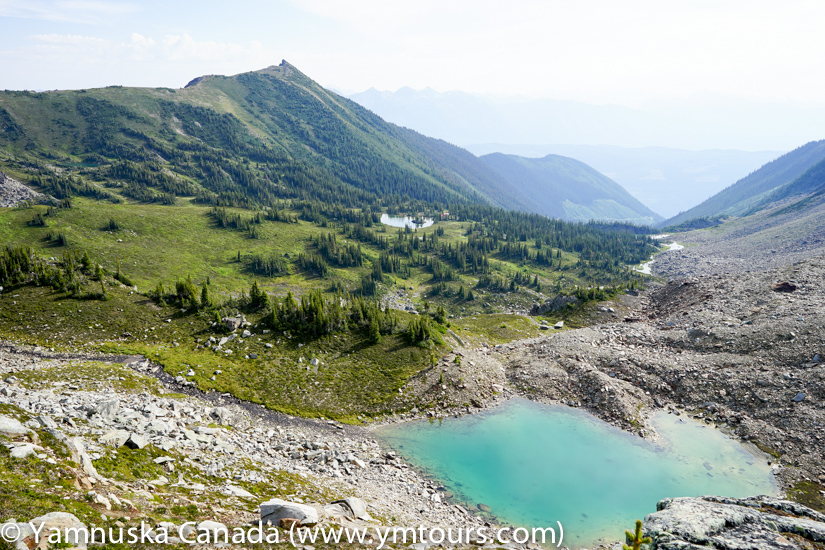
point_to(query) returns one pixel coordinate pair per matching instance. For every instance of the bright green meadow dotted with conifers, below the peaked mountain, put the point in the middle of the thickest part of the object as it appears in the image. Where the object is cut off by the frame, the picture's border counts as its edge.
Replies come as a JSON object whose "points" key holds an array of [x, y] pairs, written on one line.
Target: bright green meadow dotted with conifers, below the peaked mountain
{"points": [[166, 246]]}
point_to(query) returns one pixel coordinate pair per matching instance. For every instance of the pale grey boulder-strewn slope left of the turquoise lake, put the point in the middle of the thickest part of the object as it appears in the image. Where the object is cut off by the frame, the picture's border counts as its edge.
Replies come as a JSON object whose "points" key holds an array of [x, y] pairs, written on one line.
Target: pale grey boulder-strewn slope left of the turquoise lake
{"points": [[236, 461]]}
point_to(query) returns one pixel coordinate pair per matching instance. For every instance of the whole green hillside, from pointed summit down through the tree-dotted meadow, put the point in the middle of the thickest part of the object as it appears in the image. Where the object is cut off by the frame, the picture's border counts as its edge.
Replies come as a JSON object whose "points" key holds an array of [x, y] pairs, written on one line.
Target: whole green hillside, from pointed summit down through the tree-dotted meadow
{"points": [[261, 195]]}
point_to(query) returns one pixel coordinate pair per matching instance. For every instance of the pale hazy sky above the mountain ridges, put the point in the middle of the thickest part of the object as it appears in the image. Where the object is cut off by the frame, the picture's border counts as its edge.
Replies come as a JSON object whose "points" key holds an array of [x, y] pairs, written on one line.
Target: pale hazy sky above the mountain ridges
{"points": [[590, 50]]}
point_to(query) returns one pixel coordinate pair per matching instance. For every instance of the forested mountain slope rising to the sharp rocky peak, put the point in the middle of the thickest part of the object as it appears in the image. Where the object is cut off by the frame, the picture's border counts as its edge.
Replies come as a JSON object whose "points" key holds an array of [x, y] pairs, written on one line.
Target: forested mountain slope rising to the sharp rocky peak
{"points": [[251, 138]]}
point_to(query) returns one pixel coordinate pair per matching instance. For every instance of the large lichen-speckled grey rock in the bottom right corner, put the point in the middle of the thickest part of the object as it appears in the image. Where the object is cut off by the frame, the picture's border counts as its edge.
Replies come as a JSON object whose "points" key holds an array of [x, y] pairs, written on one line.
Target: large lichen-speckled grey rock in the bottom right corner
{"points": [[753, 523]]}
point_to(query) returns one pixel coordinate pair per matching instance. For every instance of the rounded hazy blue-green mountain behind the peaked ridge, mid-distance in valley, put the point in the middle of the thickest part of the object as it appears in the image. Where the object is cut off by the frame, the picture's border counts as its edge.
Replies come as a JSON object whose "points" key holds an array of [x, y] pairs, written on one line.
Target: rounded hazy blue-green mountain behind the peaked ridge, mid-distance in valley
{"points": [[565, 188]]}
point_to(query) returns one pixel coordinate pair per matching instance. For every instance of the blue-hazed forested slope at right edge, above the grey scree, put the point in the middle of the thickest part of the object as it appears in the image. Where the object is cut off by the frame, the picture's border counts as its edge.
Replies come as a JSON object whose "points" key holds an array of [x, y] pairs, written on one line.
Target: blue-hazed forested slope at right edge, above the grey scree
{"points": [[773, 181]]}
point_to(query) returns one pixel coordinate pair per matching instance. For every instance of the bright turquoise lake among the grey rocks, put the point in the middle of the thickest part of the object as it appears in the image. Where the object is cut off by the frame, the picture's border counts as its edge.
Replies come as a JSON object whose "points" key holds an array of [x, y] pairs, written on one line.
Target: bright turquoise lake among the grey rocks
{"points": [[535, 464]]}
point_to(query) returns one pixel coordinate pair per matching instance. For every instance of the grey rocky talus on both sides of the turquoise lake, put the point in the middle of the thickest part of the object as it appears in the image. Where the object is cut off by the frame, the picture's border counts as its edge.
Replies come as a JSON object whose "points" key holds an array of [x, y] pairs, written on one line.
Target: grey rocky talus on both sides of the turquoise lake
{"points": [[115, 439]]}
